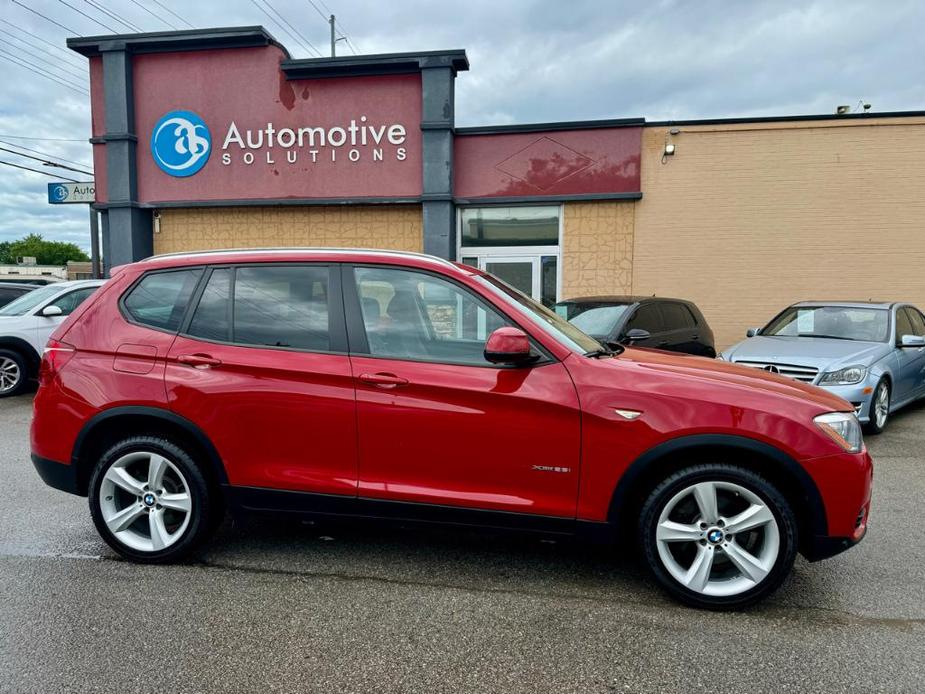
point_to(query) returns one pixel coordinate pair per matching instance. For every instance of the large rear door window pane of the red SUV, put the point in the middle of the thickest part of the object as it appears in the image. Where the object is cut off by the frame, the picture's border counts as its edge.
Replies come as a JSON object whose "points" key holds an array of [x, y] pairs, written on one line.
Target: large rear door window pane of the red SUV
{"points": [[282, 306]]}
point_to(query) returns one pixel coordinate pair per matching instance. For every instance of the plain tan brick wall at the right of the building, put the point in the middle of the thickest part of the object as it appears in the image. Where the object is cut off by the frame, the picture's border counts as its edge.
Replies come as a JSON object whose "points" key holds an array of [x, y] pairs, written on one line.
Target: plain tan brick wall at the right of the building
{"points": [[746, 219]]}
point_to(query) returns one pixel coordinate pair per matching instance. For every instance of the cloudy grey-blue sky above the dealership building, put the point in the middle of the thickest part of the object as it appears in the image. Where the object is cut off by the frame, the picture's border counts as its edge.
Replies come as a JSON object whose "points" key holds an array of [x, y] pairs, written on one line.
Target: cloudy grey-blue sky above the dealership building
{"points": [[531, 61]]}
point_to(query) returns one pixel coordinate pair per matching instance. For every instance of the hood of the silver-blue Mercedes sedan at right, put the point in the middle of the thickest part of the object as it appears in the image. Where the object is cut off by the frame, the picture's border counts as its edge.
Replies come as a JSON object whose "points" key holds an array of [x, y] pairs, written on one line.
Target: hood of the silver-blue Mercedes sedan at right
{"points": [[819, 352]]}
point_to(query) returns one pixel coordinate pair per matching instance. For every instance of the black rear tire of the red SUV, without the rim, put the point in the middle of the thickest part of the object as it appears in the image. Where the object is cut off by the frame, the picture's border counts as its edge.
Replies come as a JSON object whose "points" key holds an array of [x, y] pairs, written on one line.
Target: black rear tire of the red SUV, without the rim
{"points": [[205, 507]]}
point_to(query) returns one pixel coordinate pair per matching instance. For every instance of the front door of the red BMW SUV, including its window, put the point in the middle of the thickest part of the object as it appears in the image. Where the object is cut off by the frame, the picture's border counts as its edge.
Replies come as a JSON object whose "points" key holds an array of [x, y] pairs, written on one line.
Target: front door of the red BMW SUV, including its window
{"points": [[439, 424]]}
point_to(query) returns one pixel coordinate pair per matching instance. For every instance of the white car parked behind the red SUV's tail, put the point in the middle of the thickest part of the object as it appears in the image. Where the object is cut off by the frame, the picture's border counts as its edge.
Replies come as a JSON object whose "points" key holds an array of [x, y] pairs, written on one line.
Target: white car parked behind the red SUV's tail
{"points": [[27, 322]]}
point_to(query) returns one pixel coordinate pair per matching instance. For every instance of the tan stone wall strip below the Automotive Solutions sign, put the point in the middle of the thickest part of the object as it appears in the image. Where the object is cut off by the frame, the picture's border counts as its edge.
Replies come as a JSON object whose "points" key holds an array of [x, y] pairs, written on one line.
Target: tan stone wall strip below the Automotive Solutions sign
{"points": [[397, 227]]}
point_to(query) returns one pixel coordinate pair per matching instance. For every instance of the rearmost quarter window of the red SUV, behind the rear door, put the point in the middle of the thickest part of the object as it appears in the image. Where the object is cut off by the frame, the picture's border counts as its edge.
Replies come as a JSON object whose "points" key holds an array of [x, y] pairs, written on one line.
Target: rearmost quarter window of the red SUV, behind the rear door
{"points": [[160, 298]]}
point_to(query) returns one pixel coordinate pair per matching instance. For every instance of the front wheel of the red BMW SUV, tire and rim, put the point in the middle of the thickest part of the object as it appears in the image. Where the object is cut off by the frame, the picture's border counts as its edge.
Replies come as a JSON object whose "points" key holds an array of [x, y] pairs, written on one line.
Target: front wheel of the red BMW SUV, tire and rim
{"points": [[718, 536]]}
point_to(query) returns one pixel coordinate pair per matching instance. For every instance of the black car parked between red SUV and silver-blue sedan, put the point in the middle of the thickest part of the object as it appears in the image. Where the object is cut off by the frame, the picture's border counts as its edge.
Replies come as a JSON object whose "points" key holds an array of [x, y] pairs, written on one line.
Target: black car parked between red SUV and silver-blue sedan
{"points": [[643, 321]]}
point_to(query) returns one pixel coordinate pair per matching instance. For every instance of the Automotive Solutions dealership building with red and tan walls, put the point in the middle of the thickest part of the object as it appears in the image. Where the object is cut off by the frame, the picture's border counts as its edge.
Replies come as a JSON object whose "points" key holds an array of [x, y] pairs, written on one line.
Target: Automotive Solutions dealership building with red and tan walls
{"points": [[218, 139]]}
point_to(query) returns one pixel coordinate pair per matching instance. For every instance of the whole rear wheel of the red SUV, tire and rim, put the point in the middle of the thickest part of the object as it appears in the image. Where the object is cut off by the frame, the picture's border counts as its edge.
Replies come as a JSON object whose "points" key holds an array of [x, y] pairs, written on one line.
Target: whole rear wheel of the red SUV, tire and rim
{"points": [[150, 501]]}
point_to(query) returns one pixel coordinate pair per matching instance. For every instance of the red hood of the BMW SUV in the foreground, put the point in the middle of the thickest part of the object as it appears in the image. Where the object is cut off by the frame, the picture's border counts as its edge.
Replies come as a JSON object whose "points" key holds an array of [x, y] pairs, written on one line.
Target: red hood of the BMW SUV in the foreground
{"points": [[700, 371]]}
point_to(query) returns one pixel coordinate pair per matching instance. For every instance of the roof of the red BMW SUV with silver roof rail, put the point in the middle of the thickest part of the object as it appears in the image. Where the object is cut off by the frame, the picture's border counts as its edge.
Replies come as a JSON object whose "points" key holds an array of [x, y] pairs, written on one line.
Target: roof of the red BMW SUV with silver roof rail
{"points": [[259, 255]]}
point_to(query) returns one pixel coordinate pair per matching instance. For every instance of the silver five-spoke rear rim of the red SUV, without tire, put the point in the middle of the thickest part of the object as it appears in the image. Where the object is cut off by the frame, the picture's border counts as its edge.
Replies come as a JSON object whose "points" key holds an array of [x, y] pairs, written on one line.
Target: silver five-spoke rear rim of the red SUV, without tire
{"points": [[145, 501]]}
